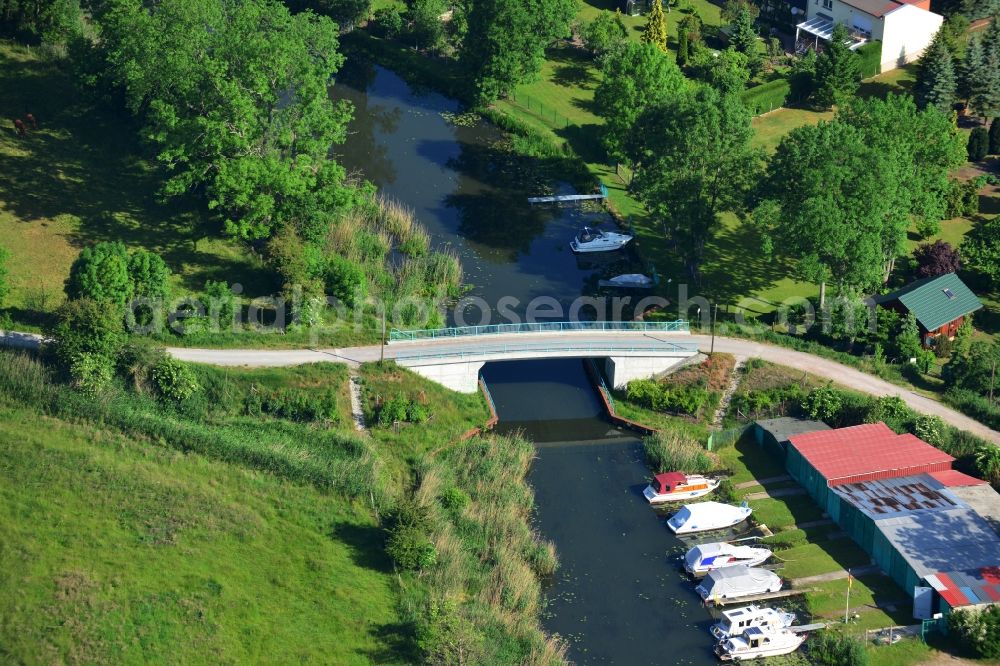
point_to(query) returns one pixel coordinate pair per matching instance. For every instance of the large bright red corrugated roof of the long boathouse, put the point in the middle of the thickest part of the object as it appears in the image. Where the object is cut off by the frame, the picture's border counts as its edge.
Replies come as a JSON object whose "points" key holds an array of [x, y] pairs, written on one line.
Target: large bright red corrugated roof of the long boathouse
{"points": [[848, 455]]}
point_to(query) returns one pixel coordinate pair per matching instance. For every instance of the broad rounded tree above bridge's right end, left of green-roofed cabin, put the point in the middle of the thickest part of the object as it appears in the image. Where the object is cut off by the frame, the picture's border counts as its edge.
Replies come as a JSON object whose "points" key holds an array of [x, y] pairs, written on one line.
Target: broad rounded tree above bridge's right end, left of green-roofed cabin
{"points": [[825, 208]]}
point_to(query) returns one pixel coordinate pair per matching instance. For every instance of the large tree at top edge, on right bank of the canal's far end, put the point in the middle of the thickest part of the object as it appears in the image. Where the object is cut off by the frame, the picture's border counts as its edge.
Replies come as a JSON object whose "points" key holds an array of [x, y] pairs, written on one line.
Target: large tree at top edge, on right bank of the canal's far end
{"points": [[506, 40]]}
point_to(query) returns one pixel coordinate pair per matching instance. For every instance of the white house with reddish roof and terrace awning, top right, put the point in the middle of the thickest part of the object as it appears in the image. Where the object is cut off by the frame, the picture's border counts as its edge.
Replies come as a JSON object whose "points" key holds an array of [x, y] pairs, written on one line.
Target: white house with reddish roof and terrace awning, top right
{"points": [[904, 27]]}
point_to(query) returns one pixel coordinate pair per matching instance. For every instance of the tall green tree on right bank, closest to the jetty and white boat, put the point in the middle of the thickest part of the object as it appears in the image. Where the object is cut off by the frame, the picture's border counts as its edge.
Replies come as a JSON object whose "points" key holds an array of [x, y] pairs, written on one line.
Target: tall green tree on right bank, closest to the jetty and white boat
{"points": [[697, 162]]}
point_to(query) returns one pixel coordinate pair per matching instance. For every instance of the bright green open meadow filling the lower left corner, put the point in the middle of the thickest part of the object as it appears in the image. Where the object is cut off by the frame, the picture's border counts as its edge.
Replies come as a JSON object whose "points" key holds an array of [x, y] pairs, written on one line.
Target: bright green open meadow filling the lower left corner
{"points": [[118, 551]]}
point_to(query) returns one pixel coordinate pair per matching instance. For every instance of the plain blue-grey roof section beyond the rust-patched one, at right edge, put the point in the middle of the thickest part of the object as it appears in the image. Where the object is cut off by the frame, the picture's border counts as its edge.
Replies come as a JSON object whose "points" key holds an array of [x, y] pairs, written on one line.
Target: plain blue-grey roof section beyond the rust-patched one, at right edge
{"points": [[950, 540]]}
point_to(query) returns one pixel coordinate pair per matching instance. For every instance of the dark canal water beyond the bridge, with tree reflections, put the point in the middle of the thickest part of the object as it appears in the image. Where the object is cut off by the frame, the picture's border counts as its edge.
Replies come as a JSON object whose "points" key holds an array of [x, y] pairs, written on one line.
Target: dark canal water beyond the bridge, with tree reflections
{"points": [[470, 195]]}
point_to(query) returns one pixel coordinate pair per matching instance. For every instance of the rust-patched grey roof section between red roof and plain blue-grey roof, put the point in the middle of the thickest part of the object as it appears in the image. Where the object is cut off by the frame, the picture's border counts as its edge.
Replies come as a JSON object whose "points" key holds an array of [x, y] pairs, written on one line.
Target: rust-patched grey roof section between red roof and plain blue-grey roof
{"points": [[887, 498]]}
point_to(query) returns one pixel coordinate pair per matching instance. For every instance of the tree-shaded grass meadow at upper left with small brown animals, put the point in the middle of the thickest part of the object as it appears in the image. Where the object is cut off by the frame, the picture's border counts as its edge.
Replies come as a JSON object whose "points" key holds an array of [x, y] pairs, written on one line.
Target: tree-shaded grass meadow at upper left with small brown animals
{"points": [[81, 178]]}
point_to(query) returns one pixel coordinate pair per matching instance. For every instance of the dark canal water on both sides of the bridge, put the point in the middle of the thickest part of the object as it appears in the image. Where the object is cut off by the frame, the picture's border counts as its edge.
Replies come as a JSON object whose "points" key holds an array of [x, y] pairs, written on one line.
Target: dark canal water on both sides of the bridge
{"points": [[619, 595]]}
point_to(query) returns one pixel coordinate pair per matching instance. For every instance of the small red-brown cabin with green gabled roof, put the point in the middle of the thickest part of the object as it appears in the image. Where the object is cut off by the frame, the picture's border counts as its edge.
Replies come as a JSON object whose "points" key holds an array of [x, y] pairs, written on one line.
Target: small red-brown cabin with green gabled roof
{"points": [[940, 305]]}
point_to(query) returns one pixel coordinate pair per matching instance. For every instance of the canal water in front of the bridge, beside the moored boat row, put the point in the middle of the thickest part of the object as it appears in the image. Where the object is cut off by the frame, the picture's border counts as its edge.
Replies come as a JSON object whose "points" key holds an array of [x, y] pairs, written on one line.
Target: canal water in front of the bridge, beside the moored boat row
{"points": [[618, 594]]}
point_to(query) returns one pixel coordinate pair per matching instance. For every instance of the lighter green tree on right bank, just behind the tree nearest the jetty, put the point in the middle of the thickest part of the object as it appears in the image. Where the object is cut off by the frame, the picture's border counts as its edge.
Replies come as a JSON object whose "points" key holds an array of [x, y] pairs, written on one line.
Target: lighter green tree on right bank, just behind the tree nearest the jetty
{"points": [[635, 76]]}
